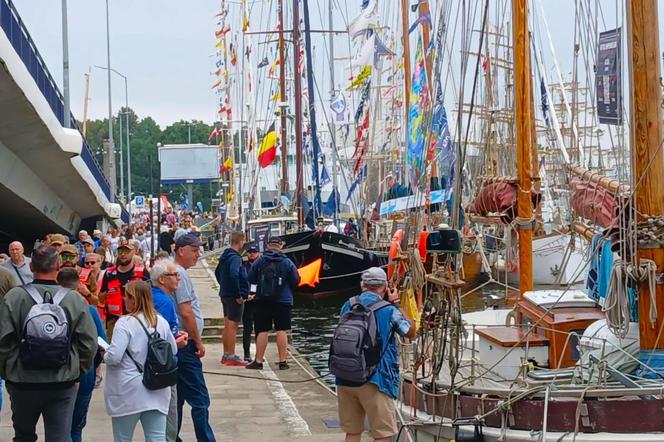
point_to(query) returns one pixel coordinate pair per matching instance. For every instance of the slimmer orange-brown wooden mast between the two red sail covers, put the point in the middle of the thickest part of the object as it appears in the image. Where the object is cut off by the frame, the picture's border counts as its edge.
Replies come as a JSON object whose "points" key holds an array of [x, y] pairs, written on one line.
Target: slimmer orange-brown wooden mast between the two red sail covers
{"points": [[524, 131]]}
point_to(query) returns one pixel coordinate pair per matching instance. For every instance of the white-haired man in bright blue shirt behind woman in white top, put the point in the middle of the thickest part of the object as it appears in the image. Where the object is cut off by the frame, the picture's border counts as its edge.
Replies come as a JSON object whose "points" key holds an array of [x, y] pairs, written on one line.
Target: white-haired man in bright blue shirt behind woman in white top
{"points": [[165, 281]]}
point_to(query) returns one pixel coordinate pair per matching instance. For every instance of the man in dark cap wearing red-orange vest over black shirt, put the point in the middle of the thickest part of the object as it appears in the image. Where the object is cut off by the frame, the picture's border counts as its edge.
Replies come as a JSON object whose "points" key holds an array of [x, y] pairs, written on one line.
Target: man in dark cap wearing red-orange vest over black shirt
{"points": [[113, 284]]}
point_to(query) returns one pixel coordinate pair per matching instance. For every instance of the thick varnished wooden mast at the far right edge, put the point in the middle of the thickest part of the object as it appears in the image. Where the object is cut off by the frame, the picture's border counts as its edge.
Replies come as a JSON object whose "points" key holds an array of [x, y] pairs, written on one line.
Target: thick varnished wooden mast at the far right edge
{"points": [[645, 140]]}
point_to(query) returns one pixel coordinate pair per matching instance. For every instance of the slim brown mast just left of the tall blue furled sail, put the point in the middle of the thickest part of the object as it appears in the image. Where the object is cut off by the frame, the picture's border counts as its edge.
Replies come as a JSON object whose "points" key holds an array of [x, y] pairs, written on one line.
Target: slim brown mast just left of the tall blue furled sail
{"points": [[298, 113]]}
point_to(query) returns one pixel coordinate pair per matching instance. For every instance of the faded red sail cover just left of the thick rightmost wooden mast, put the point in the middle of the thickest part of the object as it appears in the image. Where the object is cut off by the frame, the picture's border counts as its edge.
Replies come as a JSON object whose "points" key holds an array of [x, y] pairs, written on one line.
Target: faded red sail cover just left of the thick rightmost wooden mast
{"points": [[594, 203]]}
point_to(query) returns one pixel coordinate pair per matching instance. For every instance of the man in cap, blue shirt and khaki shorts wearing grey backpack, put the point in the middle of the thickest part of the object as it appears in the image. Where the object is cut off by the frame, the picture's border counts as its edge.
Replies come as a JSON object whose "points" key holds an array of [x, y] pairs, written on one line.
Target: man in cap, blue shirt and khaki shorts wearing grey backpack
{"points": [[364, 358]]}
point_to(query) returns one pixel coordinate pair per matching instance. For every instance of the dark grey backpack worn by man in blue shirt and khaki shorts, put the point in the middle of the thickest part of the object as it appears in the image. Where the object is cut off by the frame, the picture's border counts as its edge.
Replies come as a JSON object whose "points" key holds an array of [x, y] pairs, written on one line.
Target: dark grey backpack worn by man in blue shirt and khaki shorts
{"points": [[356, 350]]}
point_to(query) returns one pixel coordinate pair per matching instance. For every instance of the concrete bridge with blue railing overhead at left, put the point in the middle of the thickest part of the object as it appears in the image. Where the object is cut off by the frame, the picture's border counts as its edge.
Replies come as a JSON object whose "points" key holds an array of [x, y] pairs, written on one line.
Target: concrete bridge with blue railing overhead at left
{"points": [[49, 178]]}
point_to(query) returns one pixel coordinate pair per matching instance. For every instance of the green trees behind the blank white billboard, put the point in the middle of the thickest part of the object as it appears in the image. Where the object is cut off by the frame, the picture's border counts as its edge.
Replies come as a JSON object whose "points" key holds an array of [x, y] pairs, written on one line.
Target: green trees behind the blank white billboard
{"points": [[144, 134]]}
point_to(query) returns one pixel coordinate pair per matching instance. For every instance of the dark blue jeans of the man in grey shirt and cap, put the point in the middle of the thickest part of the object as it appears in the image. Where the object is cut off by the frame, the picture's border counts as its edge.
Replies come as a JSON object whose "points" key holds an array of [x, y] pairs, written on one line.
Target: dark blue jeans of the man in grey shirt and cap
{"points": [[192, 389]]}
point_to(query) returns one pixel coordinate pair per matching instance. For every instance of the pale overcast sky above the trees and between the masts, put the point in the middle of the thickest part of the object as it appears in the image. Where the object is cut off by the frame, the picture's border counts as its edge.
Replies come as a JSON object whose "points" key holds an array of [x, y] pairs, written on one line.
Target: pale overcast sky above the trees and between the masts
{"points": [[164, 47]]}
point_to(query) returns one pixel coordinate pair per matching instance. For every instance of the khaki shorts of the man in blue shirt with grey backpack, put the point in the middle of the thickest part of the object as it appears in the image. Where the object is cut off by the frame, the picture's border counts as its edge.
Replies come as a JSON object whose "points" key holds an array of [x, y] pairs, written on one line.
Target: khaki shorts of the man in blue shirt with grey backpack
{"points": [[356, 402]]}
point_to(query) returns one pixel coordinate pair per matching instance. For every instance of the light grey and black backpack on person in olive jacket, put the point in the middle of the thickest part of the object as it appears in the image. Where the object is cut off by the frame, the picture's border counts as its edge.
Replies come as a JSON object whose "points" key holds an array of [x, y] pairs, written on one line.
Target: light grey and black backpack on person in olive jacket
{"points": [[45, 339]]}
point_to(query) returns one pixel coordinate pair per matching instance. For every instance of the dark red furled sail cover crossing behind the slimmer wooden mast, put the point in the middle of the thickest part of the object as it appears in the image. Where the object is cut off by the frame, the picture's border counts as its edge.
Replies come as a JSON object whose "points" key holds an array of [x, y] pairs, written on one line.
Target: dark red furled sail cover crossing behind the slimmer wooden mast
{"points": [[499, 198]]}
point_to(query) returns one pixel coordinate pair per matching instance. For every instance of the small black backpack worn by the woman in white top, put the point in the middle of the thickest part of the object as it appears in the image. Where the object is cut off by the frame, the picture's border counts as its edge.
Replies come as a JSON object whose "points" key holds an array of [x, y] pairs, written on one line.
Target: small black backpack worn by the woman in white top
{"points": [[160, 369]]}
